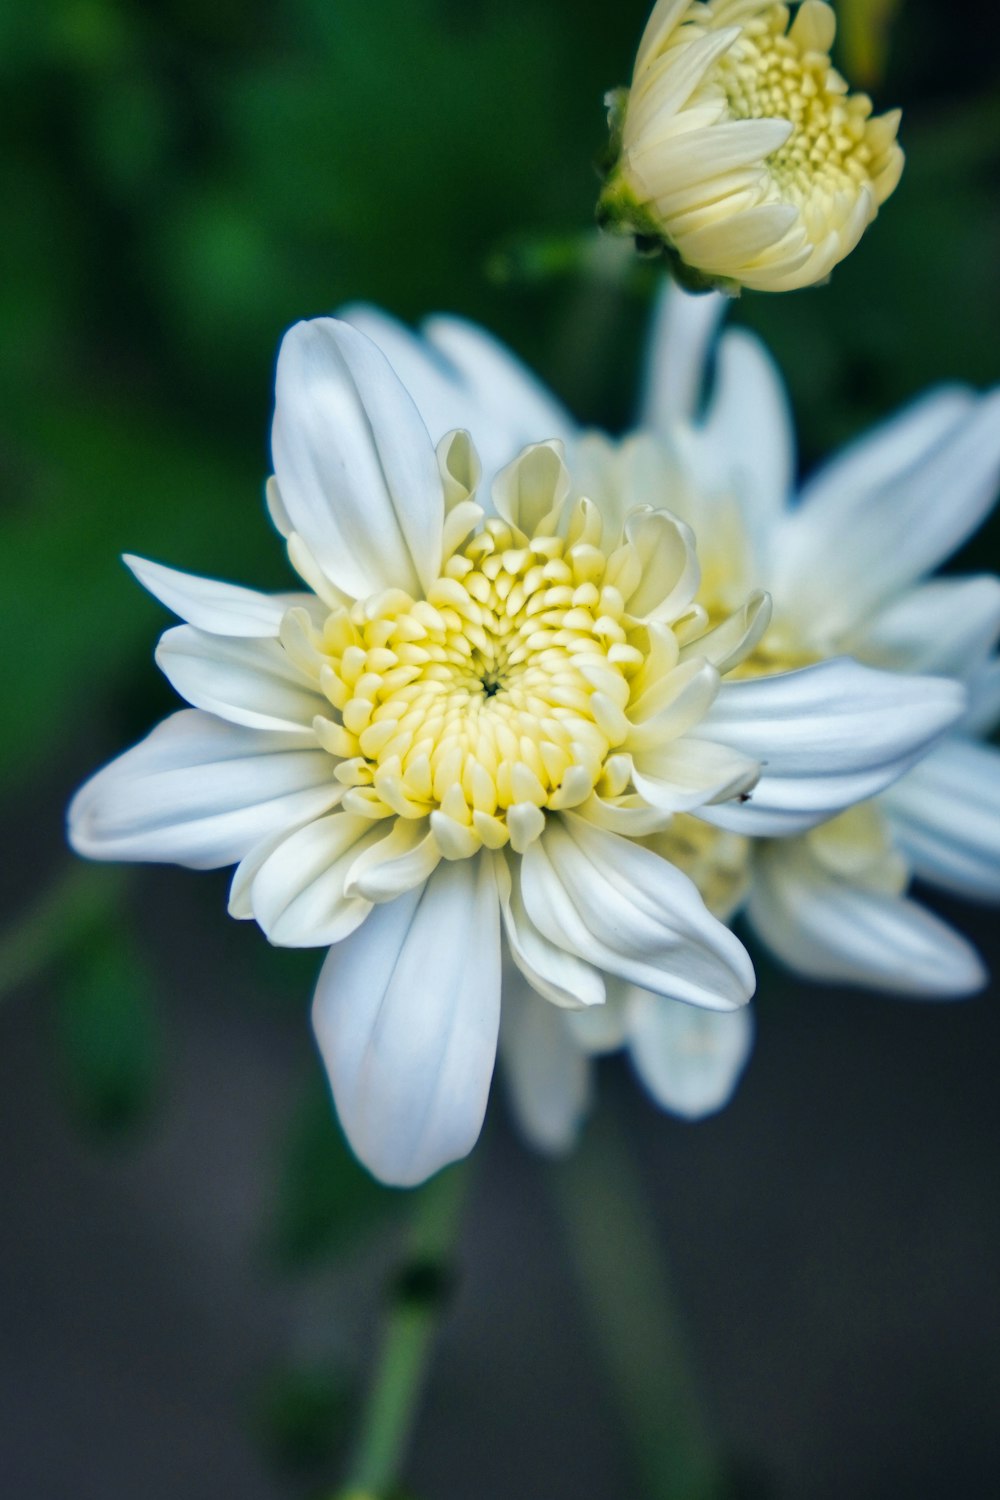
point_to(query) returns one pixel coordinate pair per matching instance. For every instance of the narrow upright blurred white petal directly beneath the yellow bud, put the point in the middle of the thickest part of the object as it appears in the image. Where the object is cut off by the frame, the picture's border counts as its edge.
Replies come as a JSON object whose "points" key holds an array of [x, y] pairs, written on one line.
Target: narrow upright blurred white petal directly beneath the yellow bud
{"points": [[677, 359]]}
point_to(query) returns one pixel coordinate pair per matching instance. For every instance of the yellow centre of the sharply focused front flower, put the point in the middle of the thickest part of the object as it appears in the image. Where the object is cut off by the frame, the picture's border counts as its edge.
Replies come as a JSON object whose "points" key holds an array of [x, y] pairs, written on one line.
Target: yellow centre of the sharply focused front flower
{"points": [[497, 697]]}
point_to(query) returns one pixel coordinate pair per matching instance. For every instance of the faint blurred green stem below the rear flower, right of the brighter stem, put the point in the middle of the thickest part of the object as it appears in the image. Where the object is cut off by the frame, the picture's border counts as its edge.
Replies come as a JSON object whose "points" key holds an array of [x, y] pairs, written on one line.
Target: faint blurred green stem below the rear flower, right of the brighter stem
{"points": [[633, 1318]]}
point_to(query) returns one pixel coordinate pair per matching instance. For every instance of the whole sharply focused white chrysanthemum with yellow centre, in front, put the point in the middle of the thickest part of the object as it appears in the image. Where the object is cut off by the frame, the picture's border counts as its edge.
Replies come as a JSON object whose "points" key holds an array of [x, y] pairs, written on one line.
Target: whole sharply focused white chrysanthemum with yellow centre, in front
{"points": [[466, 739]]}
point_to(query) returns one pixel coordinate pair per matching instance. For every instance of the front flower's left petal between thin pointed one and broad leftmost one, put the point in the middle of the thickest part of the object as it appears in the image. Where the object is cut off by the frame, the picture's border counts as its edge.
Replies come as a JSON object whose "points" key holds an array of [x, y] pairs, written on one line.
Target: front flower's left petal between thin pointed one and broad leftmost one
{"points": [[247, 682]]}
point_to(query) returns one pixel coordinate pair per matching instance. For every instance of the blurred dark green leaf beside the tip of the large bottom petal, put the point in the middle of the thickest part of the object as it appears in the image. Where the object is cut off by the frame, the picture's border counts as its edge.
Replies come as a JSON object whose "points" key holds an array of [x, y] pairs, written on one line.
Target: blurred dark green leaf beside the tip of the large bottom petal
{"points": [[326, 1202]]}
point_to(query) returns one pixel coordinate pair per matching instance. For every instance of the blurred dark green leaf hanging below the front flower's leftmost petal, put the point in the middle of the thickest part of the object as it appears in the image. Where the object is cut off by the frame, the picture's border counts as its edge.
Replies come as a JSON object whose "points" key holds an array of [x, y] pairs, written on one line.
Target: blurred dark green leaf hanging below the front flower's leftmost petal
{"points": [[107, 1033]]}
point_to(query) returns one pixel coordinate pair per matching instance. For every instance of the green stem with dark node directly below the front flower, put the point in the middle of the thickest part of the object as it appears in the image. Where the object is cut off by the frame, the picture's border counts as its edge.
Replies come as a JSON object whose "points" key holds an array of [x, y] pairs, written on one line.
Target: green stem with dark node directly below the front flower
{"points": [[418, 1301]]}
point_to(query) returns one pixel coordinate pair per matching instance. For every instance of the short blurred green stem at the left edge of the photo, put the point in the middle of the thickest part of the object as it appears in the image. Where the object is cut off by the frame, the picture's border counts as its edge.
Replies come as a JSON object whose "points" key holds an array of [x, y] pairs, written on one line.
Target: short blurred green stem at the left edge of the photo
{"points": [[65, 913]]}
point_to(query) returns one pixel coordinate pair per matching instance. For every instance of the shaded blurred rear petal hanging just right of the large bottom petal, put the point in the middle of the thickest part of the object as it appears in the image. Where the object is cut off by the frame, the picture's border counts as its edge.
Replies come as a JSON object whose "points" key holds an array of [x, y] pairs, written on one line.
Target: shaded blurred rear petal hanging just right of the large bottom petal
{"points": [[548, 1076]]}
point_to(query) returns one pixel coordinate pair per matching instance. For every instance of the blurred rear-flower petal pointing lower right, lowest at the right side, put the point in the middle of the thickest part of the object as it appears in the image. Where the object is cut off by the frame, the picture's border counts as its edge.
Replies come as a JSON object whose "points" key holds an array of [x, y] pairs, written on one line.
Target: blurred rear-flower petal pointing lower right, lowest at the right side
{"points": [[828, 929]]}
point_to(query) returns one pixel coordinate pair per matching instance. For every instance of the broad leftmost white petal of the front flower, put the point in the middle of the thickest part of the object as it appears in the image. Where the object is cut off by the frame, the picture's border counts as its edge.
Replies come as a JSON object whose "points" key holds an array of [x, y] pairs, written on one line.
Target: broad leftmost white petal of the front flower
{"points": [[200, 793]]}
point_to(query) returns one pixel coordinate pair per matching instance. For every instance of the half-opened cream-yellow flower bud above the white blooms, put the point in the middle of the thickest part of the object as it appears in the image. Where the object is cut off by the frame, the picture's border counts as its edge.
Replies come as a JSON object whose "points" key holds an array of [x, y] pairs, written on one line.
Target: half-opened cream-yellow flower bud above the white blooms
{"points": [[741, 151]]}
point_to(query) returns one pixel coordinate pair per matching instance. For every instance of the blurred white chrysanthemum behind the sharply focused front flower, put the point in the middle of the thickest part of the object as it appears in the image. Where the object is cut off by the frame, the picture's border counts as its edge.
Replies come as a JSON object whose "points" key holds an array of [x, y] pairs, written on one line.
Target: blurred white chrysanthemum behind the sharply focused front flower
{"points": [[900, 503]]}
